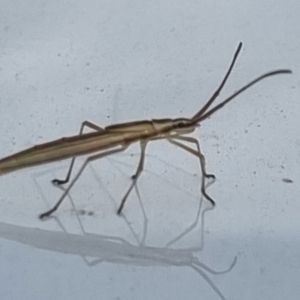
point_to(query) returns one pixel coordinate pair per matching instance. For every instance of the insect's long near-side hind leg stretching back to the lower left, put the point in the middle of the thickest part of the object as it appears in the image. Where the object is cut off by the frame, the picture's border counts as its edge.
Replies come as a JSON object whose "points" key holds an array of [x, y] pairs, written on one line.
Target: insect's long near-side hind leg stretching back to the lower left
{"points": [[88, 160]]}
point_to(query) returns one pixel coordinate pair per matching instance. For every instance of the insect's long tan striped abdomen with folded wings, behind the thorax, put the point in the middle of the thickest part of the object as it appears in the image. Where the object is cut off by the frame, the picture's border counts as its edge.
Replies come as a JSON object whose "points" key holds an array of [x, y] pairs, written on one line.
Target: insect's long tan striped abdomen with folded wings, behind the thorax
{"points": [[112, 136]]}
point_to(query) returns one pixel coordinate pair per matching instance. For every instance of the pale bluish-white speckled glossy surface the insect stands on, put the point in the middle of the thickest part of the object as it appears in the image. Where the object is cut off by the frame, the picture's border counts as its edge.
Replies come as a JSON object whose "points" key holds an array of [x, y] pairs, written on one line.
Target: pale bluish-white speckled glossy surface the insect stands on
{"points": [[63, 62]]}
